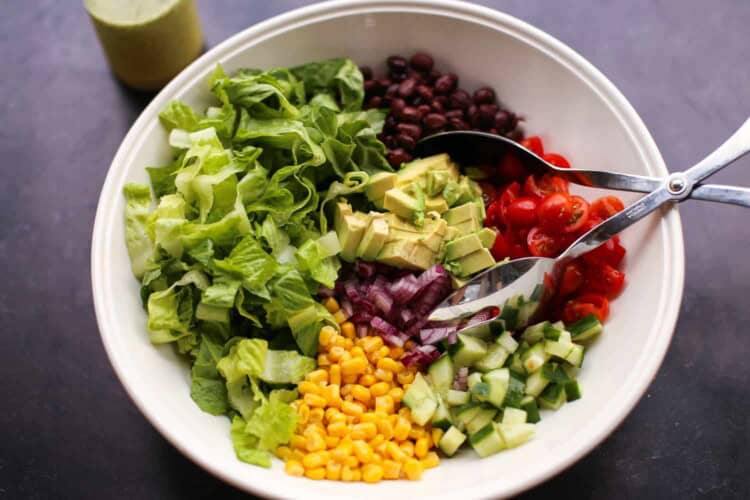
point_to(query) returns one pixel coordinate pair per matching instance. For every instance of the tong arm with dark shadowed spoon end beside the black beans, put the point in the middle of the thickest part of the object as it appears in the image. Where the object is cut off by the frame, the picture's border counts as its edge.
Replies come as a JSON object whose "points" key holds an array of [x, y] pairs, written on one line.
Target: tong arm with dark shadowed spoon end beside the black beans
{"points": [[480, 148]]}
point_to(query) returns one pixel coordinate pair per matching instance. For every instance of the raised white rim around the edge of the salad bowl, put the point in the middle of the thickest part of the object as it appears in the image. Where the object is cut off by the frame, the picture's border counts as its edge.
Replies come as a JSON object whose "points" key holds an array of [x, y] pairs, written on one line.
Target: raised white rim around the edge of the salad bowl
{"points": [[632, 123]]}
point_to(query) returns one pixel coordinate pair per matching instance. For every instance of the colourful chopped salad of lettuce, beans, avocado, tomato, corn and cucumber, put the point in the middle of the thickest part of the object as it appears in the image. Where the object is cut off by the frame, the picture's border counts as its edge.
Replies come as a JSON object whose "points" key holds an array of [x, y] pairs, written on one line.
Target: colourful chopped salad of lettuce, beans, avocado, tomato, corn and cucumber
{"points": [[294, 248]]}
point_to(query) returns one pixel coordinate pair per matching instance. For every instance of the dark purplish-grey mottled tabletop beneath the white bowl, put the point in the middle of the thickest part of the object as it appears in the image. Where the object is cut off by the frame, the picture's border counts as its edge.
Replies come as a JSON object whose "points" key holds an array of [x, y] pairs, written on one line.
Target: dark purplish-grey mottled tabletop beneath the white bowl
{"points": [[67, 428]]}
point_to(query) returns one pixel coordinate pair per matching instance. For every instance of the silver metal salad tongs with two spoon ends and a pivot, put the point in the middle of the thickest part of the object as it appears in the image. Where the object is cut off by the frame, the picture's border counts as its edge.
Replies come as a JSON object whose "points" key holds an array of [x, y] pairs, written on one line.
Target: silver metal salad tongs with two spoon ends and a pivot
{"points": [[530, 282]]}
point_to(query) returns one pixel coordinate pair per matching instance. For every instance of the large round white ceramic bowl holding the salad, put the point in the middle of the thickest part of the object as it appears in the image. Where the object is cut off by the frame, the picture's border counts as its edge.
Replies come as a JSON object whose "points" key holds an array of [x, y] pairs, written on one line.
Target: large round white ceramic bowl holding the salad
{"points": [[575, 109]]}
